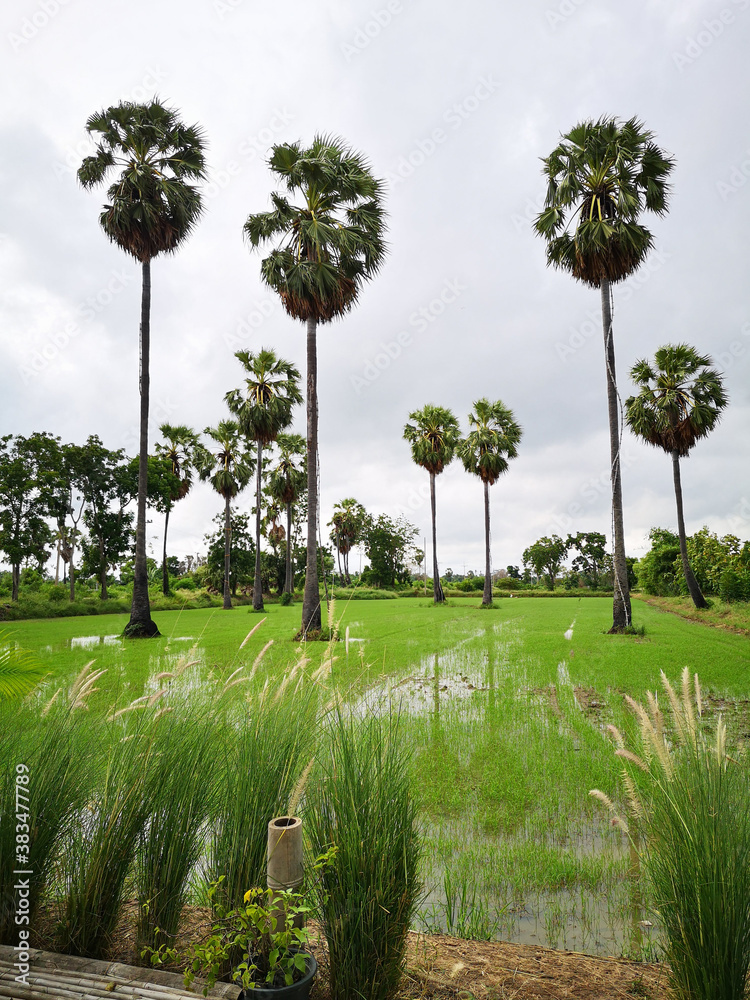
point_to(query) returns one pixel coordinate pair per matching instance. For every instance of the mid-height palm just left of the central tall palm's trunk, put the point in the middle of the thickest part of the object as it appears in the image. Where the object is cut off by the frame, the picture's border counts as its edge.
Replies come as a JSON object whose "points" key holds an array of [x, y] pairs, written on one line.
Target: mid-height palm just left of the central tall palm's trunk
{"points": [[263, 408]]}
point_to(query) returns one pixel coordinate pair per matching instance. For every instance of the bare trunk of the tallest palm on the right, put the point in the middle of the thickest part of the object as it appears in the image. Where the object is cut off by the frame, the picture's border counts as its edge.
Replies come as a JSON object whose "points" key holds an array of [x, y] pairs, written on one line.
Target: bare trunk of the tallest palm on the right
{"points": [[621, 614]]}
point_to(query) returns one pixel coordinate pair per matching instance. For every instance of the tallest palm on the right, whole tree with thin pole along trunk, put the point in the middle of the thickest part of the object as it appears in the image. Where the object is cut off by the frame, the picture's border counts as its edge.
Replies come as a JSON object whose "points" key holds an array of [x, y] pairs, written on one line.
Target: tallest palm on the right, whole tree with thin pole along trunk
{"points": [[600, 178]]}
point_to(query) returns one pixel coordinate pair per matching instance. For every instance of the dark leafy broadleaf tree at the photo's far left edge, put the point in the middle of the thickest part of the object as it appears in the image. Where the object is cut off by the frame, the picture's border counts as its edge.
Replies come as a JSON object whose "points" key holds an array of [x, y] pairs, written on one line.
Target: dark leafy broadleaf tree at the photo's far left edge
{"points": [[28, 467]]}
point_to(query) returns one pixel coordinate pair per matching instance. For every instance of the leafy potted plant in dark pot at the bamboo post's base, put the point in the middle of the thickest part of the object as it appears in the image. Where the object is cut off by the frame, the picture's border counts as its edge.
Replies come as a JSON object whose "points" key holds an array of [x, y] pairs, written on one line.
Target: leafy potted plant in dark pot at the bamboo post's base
{"points": [[266, 930]]}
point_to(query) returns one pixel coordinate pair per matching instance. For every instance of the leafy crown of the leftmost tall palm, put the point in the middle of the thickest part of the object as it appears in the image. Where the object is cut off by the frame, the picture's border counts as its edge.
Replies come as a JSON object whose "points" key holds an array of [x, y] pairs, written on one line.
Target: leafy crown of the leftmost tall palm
{"points": [[152, 206]]}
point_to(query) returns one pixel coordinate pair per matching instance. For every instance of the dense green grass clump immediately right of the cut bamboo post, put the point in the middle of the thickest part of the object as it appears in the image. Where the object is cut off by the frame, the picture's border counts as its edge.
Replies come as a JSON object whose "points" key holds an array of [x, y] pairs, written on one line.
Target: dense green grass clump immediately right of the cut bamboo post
{"points": [[361, 804]]}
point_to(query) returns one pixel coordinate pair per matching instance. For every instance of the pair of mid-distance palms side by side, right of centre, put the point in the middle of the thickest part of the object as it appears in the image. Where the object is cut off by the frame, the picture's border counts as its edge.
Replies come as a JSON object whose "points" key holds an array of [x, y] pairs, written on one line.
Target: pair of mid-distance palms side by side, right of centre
{"points": [[435, 438]]}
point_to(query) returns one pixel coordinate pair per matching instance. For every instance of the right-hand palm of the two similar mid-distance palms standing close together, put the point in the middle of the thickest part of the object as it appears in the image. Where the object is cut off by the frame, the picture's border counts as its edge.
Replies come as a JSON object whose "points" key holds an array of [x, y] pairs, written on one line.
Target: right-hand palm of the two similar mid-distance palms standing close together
{"points": [[486, 453]]}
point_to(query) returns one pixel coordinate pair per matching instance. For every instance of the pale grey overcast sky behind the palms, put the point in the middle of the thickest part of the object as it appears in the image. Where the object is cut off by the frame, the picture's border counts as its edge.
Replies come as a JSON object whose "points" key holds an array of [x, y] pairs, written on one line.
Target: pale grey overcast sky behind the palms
{"points": [[453, 104]]}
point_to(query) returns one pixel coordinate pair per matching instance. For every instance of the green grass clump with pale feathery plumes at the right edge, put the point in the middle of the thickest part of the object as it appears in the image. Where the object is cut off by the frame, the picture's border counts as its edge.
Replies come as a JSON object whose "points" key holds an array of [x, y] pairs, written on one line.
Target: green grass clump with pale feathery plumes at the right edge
{"points": [[693, 817]]}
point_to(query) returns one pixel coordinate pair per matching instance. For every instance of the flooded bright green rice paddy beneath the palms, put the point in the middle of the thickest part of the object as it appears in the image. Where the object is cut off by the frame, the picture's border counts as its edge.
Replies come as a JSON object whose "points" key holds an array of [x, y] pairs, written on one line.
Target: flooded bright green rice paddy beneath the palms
{"points": [[505, 711]]}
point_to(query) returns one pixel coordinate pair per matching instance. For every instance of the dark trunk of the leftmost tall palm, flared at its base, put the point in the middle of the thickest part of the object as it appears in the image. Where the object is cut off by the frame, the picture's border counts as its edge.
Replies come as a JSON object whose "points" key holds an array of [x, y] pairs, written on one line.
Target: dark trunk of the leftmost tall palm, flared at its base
{"points": [[140, 623]]}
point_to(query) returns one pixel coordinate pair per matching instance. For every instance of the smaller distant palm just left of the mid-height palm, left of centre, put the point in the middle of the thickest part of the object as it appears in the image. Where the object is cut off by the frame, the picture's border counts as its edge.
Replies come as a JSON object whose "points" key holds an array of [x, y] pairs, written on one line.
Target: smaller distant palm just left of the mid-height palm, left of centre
{"points": [[229, 467]]}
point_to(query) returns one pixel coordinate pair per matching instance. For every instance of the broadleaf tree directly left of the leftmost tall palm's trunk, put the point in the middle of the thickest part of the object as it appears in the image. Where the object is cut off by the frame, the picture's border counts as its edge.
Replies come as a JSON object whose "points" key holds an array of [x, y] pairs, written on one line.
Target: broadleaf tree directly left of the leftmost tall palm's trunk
{"points": [[109, 486]]}
